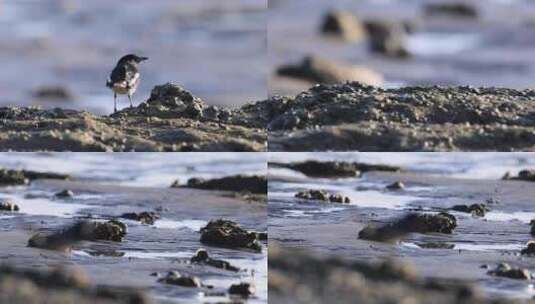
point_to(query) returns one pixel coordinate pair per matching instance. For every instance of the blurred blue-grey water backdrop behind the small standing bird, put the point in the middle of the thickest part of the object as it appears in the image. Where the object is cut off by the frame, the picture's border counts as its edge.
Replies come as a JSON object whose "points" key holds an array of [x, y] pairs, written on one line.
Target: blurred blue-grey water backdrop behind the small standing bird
{"points": [[59, 53]]}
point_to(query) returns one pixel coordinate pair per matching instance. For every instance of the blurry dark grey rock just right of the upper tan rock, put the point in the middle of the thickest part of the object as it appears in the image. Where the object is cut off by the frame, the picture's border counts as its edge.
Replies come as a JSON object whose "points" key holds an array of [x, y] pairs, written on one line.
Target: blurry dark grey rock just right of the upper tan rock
{"points": [[388, 38]]}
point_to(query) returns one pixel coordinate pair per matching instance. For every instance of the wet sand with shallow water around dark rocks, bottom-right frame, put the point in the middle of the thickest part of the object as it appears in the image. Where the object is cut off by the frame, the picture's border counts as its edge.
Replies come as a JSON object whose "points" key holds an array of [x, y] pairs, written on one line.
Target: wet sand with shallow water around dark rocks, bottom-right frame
{"points": [[332, 230]]}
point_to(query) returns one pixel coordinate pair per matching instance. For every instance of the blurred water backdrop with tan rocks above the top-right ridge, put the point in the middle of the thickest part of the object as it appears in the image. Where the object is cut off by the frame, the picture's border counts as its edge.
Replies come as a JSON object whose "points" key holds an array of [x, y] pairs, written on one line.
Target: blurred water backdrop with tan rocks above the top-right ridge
{"points": [[396, 43]]}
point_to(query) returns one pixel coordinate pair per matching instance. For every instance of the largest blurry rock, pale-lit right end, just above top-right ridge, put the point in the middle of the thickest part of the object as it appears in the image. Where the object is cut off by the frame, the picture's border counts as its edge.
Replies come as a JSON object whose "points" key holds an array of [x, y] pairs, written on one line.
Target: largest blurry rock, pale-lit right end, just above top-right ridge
{"points": [[319, 70]]}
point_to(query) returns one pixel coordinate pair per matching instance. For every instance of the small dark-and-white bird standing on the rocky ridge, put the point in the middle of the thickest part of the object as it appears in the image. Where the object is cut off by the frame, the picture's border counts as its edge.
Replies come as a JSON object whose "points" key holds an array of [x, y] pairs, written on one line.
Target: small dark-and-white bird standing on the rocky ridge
{"points": [[125, 77]]}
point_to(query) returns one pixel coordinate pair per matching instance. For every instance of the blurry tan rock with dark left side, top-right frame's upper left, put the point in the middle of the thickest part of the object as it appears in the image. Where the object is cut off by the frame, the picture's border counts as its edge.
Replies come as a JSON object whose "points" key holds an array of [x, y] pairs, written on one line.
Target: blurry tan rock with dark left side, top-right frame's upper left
{"points": [[344, 25]]}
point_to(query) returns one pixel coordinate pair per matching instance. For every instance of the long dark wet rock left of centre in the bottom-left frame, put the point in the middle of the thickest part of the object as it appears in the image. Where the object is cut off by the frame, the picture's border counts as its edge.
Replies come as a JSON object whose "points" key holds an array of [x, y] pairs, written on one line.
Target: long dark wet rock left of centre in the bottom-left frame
{"points": [[62, 240]]}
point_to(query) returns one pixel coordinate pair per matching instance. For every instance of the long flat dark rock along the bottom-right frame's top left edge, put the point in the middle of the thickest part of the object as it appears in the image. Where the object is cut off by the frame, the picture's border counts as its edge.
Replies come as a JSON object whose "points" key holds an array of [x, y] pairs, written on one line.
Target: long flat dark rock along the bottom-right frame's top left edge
{"points": [[334, 168]]}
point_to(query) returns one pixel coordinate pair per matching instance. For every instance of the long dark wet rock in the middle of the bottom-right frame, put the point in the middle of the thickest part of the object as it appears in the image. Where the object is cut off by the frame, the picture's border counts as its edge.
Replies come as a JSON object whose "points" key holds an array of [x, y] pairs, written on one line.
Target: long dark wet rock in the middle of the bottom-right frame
{"points": [[414, 222]]}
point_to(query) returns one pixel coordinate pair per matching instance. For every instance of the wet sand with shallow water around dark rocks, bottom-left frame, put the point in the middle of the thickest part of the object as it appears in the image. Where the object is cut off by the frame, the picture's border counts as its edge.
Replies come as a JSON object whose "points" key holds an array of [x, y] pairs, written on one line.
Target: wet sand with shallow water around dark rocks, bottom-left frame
{"points": [[166, 246]]}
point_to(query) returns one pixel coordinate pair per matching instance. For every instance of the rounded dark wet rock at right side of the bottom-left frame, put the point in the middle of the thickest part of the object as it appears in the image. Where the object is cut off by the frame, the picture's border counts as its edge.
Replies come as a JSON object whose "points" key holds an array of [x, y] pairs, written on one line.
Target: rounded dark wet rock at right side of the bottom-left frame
{"points": [[228, 234]]}
